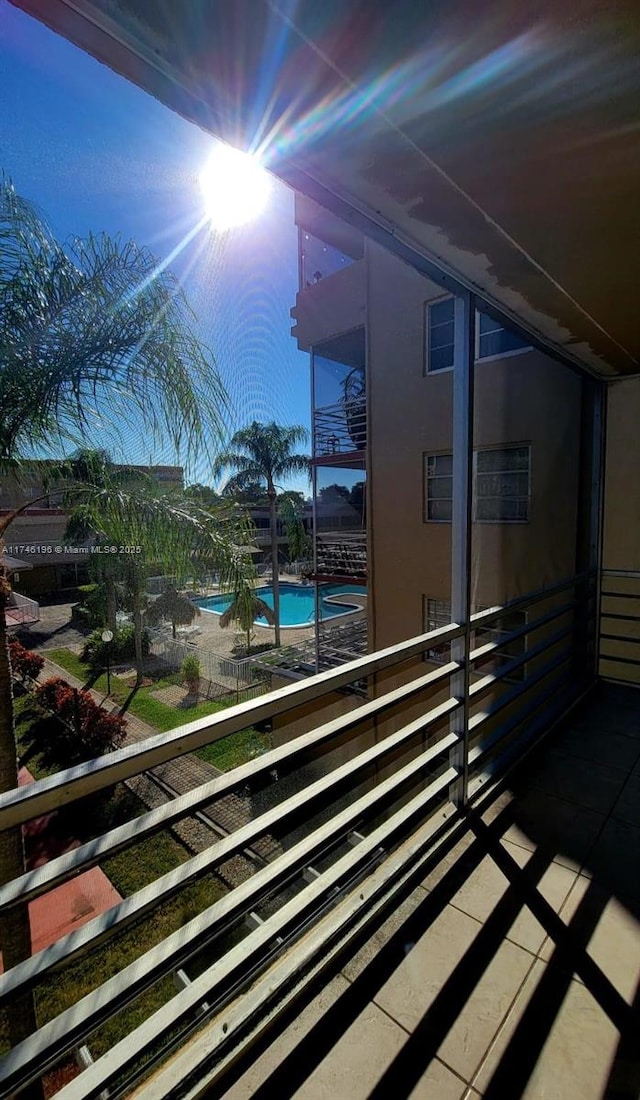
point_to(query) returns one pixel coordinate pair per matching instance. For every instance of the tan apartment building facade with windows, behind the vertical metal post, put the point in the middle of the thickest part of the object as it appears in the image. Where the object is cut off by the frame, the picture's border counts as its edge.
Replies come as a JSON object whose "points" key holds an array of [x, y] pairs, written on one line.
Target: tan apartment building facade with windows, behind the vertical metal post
{"points": [[381, 337]]}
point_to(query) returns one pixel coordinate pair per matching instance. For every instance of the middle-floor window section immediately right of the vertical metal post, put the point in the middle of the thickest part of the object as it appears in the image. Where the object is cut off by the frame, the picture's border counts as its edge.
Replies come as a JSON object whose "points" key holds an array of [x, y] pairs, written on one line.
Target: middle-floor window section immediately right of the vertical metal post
{"points": [[502, 486]]}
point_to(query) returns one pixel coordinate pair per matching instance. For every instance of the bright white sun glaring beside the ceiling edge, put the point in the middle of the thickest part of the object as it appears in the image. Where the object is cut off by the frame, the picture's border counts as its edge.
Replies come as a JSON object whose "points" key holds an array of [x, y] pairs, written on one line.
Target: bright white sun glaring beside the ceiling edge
{"points": [[235, 188]]}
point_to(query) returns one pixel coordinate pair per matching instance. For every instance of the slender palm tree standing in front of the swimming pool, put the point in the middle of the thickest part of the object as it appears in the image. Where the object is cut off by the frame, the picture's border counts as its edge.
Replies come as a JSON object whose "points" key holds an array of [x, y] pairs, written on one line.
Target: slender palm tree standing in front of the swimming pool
{"points": [[263, 453]]}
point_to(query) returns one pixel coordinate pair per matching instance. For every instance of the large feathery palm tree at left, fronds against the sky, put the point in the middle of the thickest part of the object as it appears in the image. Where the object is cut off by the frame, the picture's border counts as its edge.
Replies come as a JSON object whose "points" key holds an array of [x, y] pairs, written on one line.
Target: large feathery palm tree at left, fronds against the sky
{"points": [[79, 325]]}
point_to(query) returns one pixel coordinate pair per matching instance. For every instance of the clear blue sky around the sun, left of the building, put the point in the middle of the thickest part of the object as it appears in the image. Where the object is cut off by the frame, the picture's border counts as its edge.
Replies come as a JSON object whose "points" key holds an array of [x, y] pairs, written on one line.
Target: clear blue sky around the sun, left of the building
{"points": [[98, 155]]}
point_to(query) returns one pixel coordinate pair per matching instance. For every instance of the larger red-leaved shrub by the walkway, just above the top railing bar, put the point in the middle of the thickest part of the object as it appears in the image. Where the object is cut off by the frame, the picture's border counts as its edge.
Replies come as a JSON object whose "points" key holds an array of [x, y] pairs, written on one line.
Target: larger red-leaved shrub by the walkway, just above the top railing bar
{"points": [[89, 731]]}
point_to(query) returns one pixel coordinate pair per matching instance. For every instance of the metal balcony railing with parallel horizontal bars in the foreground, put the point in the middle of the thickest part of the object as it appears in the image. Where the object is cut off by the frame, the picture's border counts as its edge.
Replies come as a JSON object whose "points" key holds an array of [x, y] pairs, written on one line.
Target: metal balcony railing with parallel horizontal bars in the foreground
{"points": [[348, 827]]}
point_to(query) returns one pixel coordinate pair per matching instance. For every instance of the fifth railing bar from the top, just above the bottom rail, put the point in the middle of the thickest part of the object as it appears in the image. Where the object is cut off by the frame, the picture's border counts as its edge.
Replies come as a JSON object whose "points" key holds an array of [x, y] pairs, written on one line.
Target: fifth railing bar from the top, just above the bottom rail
{"points": [[223, 973]]}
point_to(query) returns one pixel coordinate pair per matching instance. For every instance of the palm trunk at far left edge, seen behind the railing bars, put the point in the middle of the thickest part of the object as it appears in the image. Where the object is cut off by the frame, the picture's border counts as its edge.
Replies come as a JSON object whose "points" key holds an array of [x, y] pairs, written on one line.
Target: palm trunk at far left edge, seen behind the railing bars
{"points": [[15, 925]]}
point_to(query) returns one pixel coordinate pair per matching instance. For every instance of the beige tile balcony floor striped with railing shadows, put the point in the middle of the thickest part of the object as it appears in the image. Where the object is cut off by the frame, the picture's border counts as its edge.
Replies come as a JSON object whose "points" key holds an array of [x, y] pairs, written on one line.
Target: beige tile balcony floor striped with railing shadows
{"points": [[513, 971]]}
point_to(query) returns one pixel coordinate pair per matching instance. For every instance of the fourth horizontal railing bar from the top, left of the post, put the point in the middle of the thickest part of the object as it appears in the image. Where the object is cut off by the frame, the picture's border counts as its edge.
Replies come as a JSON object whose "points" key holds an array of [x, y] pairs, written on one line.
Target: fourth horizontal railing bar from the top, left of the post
{"points": [[42, 1050]]}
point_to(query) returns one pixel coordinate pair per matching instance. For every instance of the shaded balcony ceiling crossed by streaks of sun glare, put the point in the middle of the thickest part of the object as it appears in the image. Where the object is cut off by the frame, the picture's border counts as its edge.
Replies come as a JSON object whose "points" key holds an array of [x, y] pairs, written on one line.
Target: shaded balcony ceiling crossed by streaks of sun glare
{"points": [[501, 138]]}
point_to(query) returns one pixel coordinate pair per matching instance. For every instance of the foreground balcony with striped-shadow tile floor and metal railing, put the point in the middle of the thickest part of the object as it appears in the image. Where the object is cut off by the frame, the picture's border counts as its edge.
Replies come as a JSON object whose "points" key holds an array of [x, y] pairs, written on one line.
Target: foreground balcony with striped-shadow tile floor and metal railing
{"points": [[500, 943]]}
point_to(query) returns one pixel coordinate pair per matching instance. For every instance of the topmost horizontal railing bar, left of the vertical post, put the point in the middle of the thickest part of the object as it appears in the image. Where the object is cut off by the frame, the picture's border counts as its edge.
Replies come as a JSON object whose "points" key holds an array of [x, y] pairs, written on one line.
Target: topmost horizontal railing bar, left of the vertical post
{"points": [[105, 772]]}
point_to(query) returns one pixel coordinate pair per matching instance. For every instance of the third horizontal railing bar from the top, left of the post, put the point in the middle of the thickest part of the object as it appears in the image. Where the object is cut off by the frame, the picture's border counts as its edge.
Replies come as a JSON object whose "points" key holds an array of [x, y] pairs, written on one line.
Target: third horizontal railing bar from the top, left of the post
{"points": [[90, 937]]}
